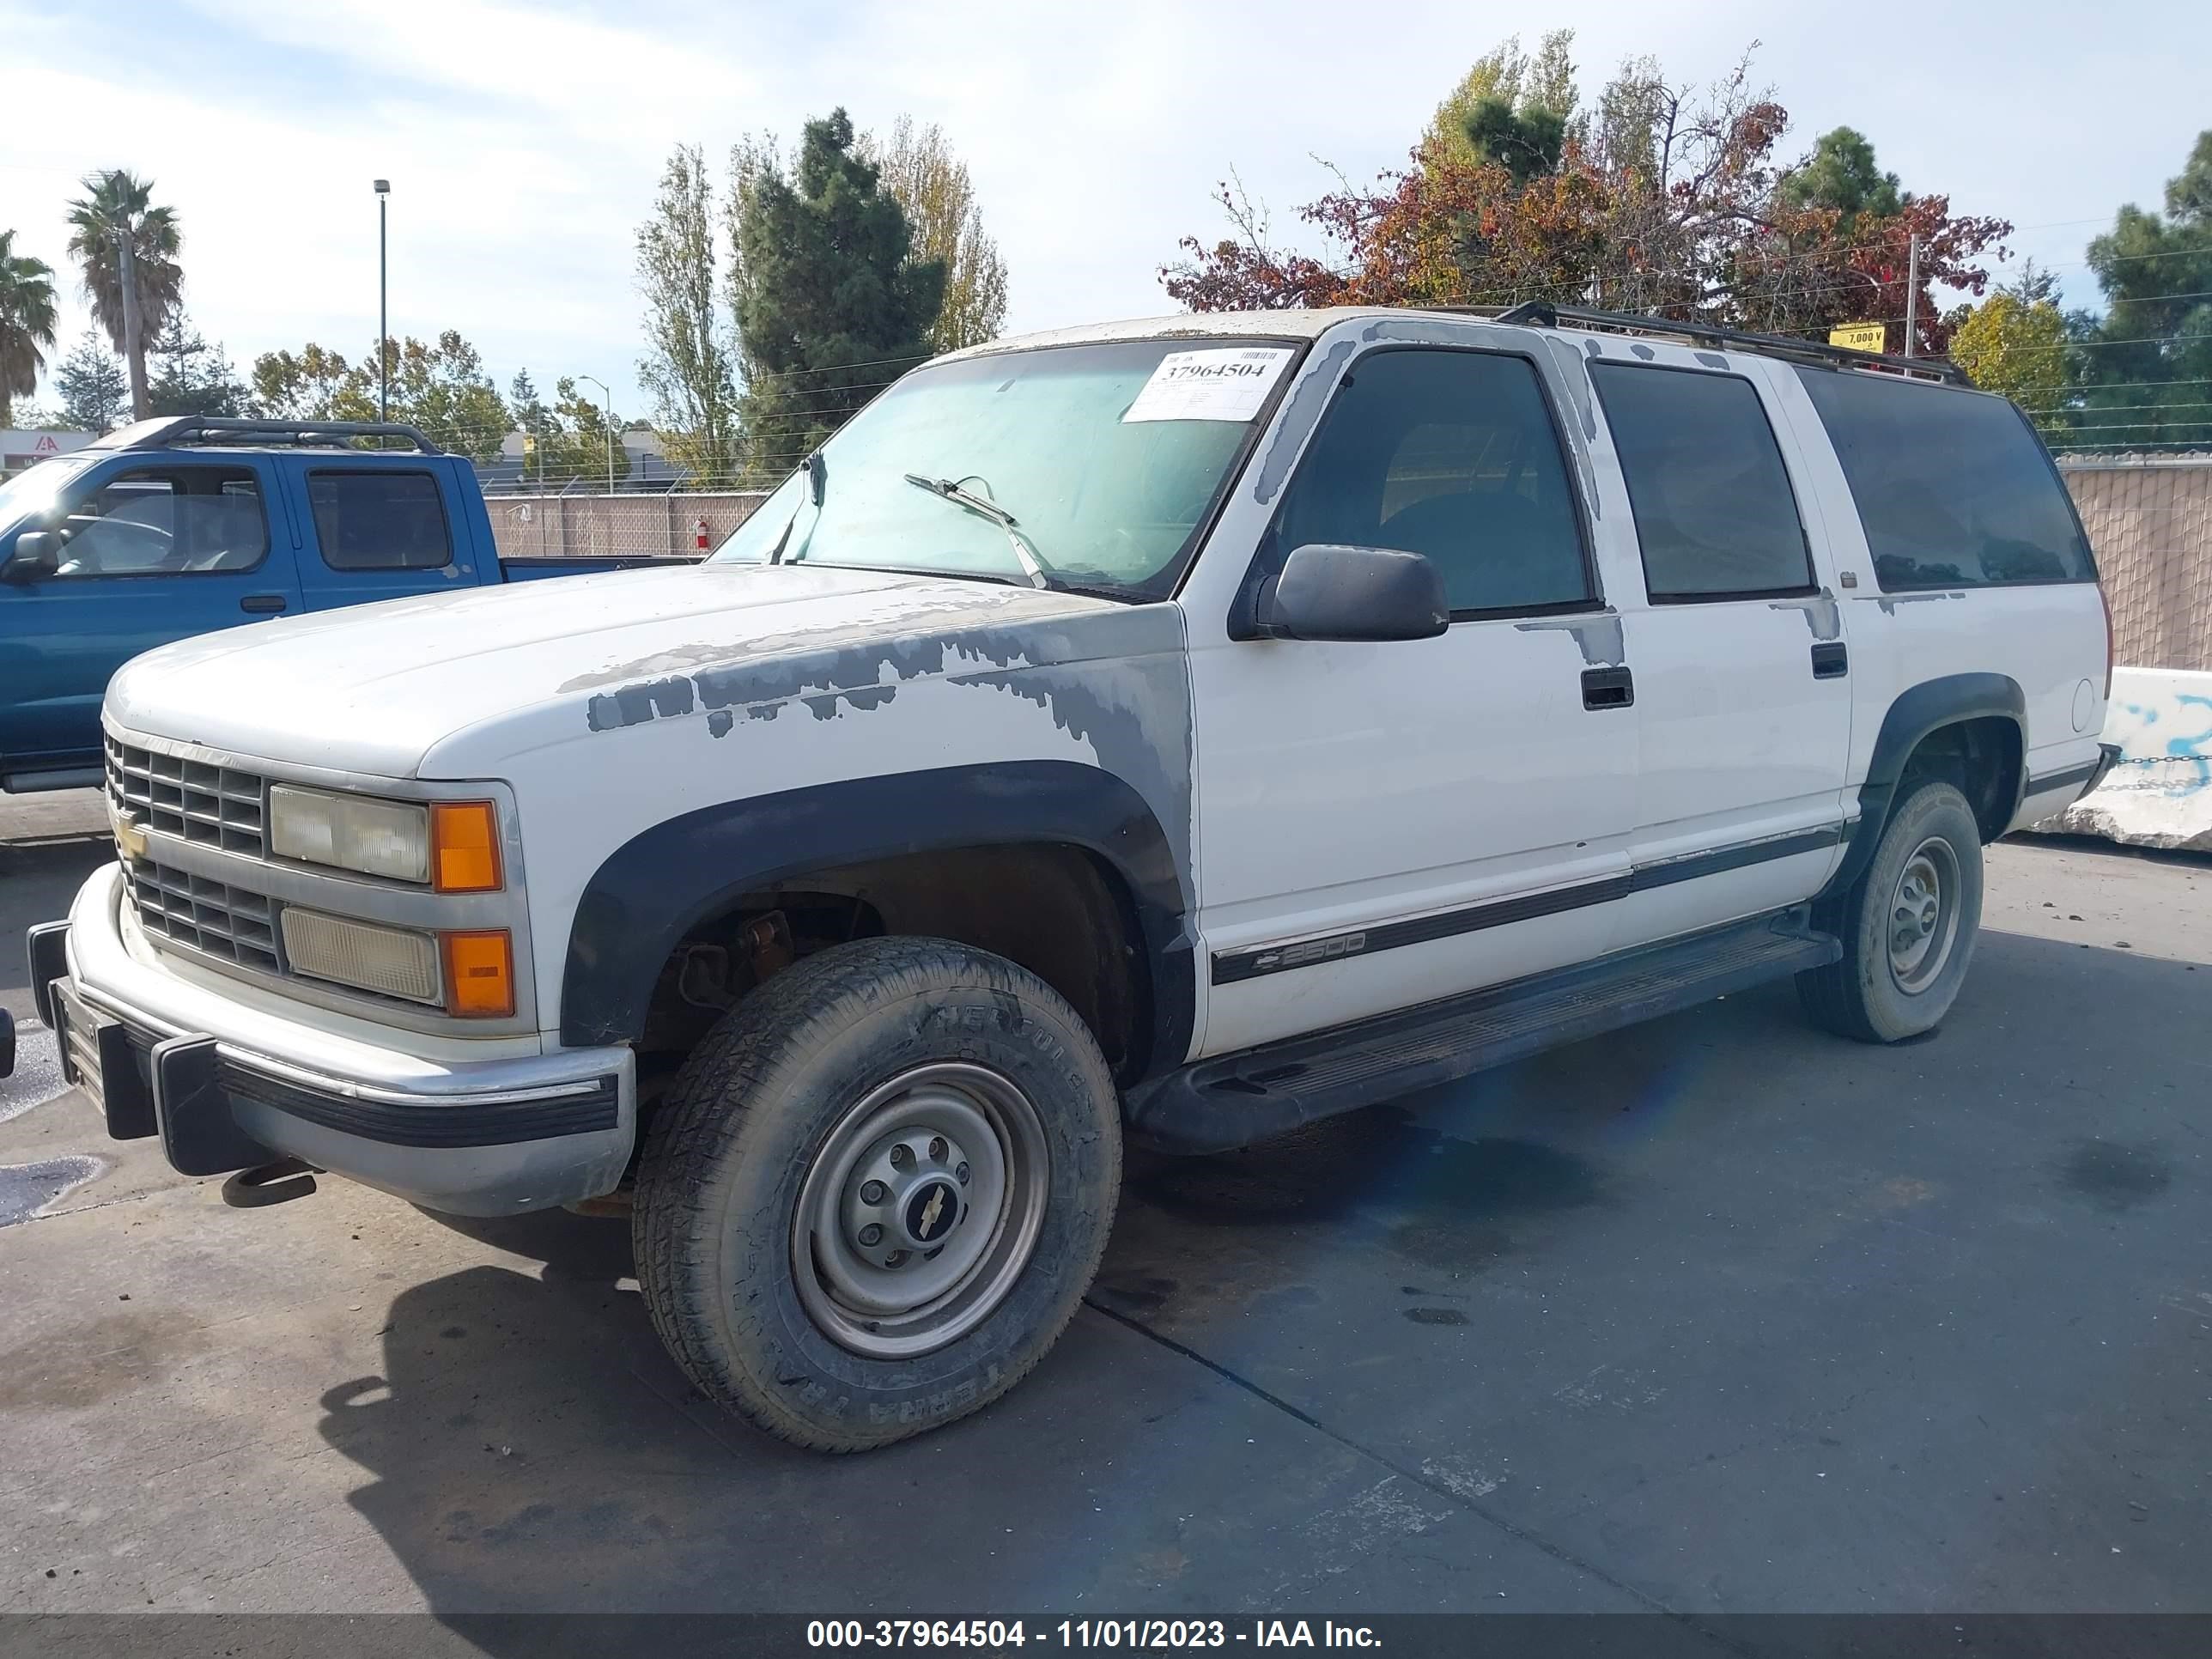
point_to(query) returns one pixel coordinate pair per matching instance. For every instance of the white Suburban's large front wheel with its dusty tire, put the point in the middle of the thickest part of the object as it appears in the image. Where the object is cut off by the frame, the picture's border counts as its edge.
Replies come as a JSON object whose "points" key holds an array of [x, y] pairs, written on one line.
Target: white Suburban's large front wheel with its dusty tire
{"points": [[877, 1191]]}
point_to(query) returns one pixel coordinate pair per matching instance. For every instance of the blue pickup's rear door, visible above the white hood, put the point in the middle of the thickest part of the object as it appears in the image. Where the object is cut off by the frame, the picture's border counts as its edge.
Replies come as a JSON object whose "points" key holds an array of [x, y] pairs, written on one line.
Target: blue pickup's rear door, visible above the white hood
{"points": [[384, 530]]}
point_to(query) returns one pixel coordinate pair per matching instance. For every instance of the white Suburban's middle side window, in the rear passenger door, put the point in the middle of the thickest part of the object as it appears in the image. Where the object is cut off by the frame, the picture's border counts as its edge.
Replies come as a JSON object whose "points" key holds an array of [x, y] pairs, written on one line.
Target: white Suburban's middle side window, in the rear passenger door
{"points": [[1707, 483]]}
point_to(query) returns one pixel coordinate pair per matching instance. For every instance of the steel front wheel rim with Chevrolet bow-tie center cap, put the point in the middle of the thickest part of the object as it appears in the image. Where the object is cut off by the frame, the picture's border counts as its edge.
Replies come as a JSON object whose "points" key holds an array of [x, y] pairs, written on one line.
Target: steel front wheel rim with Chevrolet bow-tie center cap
{"points": [[921, 1211]]}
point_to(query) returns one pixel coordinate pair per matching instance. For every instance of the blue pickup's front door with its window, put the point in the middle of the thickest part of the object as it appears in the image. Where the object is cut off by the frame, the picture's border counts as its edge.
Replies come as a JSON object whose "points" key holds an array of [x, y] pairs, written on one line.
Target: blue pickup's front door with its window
{"points": [[156, 550]]}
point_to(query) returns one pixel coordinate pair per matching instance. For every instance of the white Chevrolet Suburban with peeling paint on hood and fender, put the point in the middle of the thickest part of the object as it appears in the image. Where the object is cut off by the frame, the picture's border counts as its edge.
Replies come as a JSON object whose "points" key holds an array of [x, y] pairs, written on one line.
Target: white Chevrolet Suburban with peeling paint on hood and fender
{"points": [[1169, 731]]}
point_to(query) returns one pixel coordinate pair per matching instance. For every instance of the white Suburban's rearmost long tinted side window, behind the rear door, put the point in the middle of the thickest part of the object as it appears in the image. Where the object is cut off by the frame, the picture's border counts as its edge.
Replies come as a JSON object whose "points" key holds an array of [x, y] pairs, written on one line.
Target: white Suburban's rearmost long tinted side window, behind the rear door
{"points": [[1954, 488]]}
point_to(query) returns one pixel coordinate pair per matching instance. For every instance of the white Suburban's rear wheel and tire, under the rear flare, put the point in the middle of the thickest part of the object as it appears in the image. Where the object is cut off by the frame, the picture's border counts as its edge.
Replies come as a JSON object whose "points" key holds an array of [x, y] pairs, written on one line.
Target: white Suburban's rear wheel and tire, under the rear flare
{"points": [[1908, 926]]}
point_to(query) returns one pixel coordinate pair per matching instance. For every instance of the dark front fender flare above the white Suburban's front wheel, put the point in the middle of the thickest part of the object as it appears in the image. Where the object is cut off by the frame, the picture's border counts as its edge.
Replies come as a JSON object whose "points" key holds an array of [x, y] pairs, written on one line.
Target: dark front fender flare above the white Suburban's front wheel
{"points": [[665, 881]]}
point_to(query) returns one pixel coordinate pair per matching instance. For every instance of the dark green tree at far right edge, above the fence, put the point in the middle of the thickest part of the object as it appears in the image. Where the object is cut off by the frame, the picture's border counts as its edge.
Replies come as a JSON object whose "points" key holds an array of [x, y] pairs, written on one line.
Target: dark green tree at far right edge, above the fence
{"points": [[2145, 371]]}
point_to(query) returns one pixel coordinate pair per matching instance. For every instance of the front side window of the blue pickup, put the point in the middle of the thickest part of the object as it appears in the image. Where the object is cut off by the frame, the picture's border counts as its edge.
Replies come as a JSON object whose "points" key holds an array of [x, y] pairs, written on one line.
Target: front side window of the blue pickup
{"points": [[176, 521]]}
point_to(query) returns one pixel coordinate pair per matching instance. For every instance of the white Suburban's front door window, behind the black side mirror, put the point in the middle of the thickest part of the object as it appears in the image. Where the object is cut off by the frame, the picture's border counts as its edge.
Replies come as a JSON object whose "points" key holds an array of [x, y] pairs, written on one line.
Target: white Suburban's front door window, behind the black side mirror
{"points": [[1448, 455]]}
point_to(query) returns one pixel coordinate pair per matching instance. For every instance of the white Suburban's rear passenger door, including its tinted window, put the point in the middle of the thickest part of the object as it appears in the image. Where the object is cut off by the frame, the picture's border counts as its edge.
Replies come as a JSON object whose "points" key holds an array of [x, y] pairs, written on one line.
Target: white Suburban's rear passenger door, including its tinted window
{"points": [[1744, 674]]}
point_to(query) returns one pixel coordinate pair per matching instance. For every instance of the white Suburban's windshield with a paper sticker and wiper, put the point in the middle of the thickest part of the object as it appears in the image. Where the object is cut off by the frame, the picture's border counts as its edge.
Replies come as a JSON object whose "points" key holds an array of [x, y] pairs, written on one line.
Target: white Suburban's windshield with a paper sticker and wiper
{"points": [[1107, 457]]}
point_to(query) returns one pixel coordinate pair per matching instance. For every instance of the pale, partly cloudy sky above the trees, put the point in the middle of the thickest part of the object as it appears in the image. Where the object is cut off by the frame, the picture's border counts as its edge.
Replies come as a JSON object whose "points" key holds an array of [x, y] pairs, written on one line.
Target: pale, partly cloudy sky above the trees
{"points": [[525, 138]]}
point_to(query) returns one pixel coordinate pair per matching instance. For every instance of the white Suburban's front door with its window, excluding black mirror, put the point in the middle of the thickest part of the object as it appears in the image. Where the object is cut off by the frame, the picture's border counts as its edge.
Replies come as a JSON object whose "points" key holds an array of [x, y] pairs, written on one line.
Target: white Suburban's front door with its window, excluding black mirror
{"points": [[1390, 824]]}
